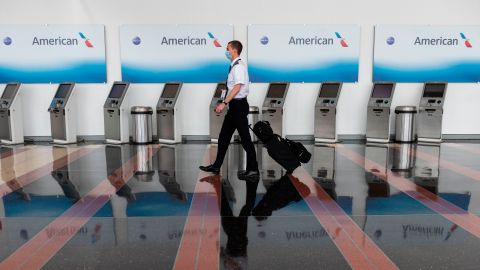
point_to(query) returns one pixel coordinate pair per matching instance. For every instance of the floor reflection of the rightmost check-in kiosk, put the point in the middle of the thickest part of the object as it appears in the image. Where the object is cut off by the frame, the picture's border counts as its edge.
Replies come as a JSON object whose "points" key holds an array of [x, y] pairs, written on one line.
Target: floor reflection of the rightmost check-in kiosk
{"points": [[426, 173]]}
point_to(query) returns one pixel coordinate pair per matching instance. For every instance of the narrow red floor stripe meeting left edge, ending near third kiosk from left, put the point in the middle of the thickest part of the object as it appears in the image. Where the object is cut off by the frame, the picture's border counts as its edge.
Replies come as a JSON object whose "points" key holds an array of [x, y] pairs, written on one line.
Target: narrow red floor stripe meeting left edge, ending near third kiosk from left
{"points": [[16, 183]]}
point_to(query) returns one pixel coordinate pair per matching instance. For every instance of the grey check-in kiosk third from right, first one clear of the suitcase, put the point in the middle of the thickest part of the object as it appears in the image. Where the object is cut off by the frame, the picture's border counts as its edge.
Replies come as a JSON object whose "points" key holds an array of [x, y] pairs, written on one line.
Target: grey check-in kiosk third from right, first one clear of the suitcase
{"points": [[326, 112]]}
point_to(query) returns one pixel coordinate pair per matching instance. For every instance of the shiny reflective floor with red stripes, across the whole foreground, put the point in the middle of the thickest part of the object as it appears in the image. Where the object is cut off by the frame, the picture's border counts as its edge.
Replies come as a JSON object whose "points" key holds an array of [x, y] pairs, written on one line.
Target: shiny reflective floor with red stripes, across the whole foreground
{"points": [[354, 206]]}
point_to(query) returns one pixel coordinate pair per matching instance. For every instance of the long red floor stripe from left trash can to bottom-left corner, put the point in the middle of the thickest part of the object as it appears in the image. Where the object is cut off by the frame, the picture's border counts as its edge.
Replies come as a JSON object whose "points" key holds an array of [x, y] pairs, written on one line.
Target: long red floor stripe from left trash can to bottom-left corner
{"points": [[43, 246]]}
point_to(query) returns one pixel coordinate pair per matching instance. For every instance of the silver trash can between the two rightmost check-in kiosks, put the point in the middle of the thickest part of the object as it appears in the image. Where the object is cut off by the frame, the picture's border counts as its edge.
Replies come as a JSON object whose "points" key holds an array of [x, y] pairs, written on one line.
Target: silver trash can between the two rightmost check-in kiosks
{"points": [[405, 123]]}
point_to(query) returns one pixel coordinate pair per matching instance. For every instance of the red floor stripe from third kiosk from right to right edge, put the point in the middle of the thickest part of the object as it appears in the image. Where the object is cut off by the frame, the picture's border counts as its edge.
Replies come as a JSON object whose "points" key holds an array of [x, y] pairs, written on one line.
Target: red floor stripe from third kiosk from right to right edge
{"points": [[455, 214]]}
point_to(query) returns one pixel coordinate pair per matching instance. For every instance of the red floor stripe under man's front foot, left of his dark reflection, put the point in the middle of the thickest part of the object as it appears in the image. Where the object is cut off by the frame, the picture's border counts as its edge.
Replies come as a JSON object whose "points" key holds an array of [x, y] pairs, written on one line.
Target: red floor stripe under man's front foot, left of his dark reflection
{"points": [[199, 247]]}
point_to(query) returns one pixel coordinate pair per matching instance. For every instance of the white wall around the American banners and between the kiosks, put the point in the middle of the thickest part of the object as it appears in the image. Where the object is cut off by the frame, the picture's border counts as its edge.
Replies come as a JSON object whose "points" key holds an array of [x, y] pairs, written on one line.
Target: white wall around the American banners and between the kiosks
{"points": [[461, 106]]}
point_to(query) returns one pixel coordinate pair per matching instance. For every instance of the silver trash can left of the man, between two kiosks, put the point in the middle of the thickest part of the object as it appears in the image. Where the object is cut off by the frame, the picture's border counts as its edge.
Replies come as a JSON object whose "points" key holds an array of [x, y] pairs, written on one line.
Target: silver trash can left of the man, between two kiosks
{"points": [[142, 124]]}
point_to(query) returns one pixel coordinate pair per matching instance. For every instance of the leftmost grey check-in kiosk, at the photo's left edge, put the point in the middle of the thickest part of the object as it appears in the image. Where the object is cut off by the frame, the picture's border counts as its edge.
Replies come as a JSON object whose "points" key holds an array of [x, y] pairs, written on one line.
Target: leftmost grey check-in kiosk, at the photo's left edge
{"points": [[11, 119]]}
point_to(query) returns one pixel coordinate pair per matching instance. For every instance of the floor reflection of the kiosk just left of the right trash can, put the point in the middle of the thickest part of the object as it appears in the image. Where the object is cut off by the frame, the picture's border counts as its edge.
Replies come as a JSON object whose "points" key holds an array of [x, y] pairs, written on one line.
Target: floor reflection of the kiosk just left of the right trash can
{"points": [[375, 175]]}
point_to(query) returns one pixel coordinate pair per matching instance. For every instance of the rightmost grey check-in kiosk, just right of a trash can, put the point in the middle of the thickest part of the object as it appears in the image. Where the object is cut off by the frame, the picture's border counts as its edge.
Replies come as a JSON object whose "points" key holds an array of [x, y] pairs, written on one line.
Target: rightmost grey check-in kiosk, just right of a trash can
{"points": [[429, 128]]}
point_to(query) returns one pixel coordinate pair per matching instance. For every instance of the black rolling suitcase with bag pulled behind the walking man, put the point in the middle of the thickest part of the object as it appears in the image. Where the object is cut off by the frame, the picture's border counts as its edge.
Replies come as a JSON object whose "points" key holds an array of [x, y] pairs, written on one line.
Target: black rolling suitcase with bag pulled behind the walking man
{"points": [[284, 152]]}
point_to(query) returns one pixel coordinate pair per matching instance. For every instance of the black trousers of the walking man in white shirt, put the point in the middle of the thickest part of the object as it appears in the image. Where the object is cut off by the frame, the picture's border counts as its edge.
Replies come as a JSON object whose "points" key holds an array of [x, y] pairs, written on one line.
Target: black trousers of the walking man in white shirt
{"points": [[236, 119]]}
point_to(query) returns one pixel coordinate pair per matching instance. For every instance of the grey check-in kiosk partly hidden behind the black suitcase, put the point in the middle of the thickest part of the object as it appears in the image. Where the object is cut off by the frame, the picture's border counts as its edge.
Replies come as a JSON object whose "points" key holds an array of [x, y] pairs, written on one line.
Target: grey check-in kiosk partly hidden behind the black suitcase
{"points": [[273, 106]]}
